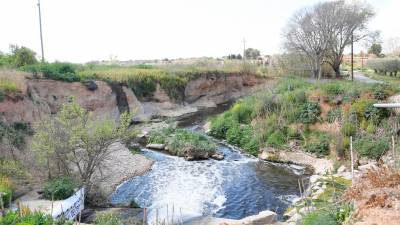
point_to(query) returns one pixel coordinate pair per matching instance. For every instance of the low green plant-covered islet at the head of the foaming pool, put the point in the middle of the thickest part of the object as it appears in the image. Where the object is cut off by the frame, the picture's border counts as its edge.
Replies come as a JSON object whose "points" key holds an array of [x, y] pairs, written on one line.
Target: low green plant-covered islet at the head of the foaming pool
{"points": [[184, 143]]}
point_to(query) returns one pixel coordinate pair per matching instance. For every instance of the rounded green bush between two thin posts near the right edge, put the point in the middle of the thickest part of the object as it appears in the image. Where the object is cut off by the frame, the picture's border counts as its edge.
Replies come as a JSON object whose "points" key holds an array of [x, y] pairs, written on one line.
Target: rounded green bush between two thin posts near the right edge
{"points": [[372, 147]]}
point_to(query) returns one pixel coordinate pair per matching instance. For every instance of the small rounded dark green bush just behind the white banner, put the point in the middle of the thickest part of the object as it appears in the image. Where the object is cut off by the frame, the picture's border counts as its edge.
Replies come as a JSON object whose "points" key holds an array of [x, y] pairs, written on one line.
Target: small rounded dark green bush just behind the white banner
{"points": [[59, 188]]}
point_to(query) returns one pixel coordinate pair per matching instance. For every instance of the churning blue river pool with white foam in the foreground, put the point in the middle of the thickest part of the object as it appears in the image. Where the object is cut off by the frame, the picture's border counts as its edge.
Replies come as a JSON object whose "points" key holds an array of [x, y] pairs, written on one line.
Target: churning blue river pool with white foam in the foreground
{"points": [[235, 187]]}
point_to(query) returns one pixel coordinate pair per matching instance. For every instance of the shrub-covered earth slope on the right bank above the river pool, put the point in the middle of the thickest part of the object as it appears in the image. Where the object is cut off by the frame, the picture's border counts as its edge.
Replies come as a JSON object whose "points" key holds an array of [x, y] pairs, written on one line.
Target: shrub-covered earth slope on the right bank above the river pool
{"points": [[312, 114]]}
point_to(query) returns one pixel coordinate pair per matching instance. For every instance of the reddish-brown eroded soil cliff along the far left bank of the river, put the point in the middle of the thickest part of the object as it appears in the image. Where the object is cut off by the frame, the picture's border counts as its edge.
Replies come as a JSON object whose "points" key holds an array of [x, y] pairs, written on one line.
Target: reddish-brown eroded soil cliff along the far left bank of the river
{"points": [[41, 98]]}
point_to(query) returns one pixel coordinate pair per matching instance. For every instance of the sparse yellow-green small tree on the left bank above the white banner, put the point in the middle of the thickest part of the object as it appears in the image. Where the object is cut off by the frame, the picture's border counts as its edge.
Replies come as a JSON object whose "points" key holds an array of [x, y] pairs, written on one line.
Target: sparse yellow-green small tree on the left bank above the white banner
{"points": [[72, 144]]}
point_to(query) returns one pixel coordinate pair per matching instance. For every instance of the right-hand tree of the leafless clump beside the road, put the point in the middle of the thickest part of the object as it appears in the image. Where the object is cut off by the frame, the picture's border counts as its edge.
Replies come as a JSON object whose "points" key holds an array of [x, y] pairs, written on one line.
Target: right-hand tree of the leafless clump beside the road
{"points": [[349, 22]]}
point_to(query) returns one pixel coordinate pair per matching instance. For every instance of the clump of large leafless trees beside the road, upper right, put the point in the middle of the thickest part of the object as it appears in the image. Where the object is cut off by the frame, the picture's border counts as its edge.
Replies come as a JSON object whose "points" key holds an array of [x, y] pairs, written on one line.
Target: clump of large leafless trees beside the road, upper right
{"points": [[321, 33]]}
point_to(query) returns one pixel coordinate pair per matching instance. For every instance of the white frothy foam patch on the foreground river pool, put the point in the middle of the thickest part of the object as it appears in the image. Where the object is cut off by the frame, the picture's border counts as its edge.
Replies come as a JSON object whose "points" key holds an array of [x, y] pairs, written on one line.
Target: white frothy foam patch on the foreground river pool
{"points": [[181, 190]]}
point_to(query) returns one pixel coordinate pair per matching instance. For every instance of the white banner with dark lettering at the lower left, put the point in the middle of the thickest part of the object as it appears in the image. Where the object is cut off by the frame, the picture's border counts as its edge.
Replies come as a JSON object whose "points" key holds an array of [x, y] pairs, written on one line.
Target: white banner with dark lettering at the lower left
{"points": [[72, 206]]}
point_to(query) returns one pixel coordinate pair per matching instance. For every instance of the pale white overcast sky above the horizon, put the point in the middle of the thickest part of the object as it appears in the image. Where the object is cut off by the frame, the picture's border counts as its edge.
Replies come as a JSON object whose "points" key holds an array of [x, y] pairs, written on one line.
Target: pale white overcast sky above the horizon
{"points": [[85, 30]]}
